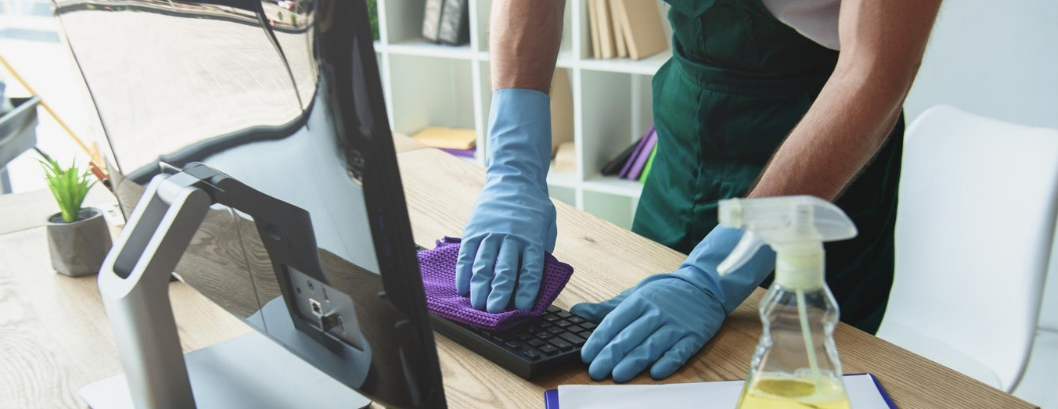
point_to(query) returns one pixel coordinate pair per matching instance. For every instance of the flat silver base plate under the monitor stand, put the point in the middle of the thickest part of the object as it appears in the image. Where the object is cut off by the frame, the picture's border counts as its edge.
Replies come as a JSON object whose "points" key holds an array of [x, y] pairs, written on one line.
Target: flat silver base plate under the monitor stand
{"points": [[248, 373]]}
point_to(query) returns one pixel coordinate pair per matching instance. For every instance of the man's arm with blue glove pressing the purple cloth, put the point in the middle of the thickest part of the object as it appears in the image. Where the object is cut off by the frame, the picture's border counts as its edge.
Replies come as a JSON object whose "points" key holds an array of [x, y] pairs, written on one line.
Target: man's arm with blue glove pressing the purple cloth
{"points": [[513, 226]]}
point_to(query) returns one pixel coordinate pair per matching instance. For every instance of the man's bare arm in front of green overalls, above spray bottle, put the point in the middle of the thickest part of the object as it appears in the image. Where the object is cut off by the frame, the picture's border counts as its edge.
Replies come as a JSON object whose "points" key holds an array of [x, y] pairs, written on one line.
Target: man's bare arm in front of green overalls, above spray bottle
{"points": [[882, 49]]}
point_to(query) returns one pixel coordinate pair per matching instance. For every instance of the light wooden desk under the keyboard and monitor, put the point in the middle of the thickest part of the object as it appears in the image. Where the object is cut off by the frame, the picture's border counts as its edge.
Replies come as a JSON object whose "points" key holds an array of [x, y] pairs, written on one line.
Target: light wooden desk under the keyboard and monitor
{"points": [[54, 338]]}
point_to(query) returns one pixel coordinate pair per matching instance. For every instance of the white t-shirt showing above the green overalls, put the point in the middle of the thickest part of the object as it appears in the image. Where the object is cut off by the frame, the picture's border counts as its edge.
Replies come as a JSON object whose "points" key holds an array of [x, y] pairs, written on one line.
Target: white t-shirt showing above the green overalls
{"points": [[815, 20]]}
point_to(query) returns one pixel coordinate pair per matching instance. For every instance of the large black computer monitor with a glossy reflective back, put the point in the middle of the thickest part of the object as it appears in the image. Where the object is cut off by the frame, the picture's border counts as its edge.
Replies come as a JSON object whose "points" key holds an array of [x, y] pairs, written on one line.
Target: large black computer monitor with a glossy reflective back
{"points": [[285, 99]]}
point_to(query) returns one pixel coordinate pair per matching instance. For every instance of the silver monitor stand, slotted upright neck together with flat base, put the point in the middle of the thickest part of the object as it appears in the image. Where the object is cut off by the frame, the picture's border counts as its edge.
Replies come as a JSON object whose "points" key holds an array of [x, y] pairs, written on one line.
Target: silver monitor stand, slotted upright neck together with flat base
{"points": [[247, 373]]}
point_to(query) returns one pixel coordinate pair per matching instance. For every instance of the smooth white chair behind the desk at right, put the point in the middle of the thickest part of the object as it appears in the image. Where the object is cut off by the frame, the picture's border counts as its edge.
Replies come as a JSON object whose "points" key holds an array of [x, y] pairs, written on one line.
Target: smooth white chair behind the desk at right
{"points": [[974, 232]]}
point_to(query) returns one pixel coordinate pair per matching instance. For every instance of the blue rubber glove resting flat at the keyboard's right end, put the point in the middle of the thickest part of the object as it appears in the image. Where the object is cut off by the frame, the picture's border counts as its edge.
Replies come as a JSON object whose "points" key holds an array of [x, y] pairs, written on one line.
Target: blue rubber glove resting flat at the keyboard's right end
{"points": [[668, 318]]}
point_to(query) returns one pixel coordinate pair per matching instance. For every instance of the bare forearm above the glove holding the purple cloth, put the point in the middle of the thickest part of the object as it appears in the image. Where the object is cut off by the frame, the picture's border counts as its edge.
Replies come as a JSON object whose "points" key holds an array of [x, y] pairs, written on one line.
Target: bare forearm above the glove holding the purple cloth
{"points": [[526, 38]]}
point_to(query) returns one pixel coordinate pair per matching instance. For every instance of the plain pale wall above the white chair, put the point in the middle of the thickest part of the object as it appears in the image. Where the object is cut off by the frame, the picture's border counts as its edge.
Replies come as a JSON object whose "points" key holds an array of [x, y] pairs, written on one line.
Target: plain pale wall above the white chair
{"points": [[994, 59]]}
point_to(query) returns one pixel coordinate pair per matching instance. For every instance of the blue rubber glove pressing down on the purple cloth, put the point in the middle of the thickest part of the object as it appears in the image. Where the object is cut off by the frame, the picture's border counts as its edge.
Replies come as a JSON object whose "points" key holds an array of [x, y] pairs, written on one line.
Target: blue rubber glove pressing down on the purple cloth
{"points": [[514, 222]]}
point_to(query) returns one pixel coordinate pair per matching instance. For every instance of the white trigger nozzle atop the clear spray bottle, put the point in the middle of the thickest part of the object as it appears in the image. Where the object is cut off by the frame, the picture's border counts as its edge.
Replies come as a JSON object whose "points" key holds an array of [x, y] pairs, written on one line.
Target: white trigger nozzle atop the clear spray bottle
{"points": [[794, 227]]}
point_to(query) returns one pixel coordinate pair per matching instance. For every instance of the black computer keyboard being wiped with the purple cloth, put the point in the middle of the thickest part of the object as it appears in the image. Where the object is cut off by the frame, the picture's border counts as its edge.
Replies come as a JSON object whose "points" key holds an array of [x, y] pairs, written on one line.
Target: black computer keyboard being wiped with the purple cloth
{"points": [[528, 350]]}
